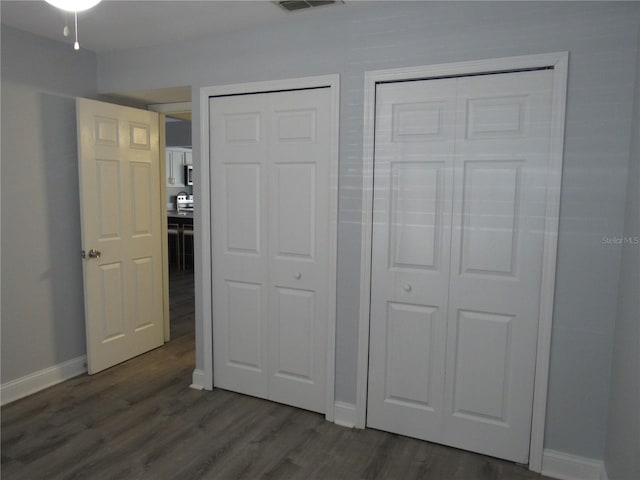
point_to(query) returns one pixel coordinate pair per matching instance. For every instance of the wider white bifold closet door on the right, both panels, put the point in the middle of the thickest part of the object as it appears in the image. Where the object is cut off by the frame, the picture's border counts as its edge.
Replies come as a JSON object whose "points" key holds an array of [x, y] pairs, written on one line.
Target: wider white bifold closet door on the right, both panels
{"points": [[459, 216]]}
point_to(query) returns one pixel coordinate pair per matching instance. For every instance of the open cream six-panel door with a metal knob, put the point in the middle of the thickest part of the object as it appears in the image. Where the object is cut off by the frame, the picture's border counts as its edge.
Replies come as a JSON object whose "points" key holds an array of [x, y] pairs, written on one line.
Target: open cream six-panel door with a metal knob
{"points": [[121, 215]]}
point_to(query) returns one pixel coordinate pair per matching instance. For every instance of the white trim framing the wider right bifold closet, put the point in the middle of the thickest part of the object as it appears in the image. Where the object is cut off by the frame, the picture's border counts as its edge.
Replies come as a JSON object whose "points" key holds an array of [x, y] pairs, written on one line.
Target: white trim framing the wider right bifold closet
{"points": [[559, 61]]}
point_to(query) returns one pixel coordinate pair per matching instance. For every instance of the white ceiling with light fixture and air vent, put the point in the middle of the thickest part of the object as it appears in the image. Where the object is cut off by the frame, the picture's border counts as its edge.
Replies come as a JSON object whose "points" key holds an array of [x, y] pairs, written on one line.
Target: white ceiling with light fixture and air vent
{"points": [[123, 24]]}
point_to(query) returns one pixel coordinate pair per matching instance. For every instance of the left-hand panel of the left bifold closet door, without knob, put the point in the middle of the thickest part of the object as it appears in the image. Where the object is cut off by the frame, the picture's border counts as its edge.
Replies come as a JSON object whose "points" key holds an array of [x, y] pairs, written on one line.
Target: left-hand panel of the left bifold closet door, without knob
{"points": [[239, 152]]}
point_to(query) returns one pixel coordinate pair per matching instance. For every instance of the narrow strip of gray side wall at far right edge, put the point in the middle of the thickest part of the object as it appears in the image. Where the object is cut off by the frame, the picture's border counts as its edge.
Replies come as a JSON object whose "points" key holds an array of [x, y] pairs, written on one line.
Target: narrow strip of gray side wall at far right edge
{"points": [[623, 436]]}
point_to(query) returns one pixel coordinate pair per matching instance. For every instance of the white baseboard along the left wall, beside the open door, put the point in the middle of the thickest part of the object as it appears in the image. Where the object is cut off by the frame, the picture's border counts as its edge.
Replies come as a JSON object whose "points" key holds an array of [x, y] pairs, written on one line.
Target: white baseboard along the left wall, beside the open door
{"points": [[34, 382]]}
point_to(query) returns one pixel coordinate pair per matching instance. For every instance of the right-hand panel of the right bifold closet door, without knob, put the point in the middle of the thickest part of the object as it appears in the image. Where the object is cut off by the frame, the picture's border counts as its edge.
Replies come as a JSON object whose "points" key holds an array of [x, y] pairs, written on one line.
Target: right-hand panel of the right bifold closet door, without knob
{"points": [[502, 144]]}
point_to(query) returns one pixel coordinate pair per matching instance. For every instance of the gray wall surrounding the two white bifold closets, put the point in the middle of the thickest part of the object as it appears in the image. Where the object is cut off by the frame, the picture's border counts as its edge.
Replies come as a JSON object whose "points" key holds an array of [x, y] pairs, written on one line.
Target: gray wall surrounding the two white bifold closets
{"points": [[602, 41]]}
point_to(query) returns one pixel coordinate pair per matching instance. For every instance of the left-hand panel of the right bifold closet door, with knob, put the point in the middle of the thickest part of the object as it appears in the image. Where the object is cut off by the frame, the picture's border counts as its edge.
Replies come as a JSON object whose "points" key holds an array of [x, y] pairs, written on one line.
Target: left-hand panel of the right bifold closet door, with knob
{"points": [[410, 256]]}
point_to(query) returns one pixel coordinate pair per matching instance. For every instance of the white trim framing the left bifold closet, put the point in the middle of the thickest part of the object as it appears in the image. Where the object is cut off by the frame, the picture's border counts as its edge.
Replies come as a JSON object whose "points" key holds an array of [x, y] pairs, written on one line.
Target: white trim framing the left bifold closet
{"points": [[333, 82]]}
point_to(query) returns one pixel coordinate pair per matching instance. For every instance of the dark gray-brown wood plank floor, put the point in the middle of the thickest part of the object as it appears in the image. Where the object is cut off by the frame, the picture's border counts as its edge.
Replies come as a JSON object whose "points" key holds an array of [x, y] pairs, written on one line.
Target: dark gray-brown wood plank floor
{"points": [[140, 420]]}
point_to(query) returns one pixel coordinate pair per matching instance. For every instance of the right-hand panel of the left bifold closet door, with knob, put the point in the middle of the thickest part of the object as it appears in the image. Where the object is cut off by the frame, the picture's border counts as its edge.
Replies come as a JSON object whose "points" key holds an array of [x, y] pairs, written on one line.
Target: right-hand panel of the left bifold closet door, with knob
{"points": [[299, 258]]}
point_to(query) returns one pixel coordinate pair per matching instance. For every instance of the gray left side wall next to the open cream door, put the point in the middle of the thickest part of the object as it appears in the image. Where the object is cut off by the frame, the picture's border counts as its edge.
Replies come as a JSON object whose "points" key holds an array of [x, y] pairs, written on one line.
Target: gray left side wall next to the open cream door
{"points": [[42, 299]]}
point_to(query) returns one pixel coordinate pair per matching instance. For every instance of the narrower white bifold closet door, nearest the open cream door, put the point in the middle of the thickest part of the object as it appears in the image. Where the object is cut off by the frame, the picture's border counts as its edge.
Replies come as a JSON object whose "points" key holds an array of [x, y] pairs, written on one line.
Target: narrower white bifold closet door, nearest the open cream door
{"points": [[270, 173]]}
